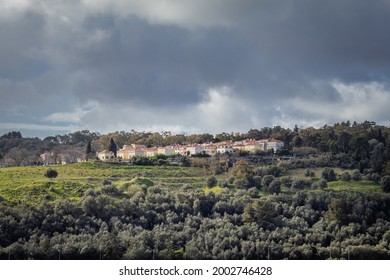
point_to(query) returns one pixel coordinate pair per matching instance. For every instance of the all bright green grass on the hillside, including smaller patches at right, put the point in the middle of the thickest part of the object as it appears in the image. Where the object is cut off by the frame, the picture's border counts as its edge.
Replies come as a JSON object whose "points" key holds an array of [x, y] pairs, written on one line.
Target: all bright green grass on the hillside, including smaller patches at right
{"points": [[28, 185]]}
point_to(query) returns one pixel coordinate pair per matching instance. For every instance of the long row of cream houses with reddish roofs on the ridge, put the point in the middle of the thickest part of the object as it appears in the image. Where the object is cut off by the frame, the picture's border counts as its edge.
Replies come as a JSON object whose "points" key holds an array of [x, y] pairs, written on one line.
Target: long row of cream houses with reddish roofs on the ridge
{"points": [[211, 149]]}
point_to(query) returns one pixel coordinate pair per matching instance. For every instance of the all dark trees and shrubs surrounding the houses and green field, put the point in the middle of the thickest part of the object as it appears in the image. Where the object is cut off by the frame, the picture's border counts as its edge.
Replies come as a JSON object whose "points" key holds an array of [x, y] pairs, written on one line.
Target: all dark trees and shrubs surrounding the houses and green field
{"points": [[262, 209]]}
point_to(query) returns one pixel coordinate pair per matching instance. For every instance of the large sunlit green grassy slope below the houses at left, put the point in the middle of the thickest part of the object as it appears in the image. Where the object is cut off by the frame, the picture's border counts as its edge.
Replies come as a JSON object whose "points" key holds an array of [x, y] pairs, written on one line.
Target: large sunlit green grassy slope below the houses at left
{"points": [[28, 184]]}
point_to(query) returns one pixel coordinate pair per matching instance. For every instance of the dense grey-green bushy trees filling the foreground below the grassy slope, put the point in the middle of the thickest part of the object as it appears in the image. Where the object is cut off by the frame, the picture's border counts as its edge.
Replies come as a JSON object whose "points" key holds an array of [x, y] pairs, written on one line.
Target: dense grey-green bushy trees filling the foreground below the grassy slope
{"points": [[157, 223]]}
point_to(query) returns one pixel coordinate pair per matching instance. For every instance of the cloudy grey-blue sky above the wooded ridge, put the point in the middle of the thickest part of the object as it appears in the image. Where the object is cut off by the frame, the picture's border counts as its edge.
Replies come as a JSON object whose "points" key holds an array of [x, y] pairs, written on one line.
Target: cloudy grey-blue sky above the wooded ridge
{"points": [[191, 66]]}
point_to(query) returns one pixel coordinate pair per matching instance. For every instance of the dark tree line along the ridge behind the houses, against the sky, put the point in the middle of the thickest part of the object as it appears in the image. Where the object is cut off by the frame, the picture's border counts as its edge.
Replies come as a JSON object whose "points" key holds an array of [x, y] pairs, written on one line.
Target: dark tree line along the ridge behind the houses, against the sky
{"points": [[354, 145]]}
